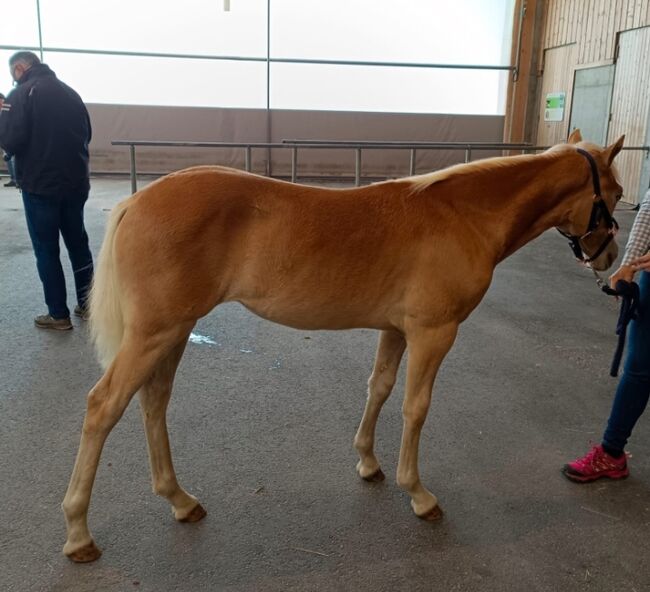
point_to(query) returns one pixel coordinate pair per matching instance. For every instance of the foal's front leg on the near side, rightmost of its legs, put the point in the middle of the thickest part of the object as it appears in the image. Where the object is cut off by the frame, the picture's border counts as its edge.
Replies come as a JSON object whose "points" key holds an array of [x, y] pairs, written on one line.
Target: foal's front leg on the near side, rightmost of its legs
{"points": [[427, 348]]}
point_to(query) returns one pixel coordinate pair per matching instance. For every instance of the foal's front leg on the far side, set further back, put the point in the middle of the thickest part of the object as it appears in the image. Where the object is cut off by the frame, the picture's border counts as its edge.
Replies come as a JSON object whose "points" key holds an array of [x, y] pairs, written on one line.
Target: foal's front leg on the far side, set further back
{"points": [[389, 354]]}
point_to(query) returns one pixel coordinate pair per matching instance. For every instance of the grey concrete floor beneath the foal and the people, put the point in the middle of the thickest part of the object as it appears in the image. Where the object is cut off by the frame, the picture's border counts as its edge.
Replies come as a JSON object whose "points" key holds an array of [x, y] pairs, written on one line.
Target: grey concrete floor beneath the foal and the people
{"points": [[262, 423]]}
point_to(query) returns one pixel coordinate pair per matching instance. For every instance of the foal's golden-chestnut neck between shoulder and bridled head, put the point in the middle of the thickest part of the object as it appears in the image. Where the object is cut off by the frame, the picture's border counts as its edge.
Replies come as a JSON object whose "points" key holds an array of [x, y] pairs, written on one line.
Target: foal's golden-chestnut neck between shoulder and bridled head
{"points": [[525, 199]]}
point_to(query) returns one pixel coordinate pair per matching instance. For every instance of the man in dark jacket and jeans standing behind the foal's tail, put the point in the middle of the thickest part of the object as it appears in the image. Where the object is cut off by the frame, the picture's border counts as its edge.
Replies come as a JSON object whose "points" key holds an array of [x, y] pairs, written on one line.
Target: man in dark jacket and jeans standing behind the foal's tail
{"points": [[45, 125]]}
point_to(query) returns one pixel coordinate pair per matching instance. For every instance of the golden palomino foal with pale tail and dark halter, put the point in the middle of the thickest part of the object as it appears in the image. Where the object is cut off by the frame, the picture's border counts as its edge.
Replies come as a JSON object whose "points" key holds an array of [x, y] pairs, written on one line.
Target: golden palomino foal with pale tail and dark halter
{"points": [[411, 258]]}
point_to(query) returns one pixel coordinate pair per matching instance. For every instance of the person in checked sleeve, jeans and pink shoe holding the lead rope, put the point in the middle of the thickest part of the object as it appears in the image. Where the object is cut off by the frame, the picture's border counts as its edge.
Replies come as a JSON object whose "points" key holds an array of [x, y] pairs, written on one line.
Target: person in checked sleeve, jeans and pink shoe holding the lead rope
{"points": [[608, 459]]}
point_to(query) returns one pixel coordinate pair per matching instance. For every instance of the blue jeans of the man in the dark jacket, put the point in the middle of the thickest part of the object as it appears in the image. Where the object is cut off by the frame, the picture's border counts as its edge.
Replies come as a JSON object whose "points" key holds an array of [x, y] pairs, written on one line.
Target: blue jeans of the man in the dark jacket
{"points": [[47, 216]]}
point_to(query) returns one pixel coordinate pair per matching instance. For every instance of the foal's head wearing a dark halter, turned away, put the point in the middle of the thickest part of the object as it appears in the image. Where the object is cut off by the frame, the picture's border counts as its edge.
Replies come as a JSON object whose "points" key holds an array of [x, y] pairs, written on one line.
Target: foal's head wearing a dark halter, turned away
{"points": [[590, 225]]}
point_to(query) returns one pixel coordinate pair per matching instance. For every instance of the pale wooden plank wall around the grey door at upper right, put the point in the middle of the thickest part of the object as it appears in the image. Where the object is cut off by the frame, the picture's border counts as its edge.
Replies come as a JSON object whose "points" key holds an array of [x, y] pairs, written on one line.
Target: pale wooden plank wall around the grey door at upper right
{"points": [[584, 33]]}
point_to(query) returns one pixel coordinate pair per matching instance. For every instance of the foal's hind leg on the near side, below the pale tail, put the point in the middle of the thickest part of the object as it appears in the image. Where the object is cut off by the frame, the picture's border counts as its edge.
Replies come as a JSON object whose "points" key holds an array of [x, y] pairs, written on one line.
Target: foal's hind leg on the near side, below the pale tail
{"points": [[137, 359]]}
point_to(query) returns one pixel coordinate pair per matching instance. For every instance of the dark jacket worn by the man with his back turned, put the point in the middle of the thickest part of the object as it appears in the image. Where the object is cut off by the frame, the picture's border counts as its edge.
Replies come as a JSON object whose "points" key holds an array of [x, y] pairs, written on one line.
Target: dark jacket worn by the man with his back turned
{"points": [[46, 126]]}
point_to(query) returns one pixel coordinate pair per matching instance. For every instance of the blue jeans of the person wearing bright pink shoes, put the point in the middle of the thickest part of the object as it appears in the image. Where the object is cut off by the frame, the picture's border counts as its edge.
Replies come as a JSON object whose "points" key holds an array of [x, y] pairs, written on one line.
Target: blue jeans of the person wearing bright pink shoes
{"points": [[634, 387]]}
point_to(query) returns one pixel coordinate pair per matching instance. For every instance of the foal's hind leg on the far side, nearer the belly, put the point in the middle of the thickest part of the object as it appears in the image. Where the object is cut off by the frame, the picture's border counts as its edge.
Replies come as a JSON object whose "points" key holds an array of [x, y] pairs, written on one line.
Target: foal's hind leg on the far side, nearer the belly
{"points": [[154, 398]]}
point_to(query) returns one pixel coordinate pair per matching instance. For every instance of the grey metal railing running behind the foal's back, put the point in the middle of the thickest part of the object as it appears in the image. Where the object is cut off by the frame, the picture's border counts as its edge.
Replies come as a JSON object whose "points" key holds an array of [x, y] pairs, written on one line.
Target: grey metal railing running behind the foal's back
{"points": [[296, 145]]}
